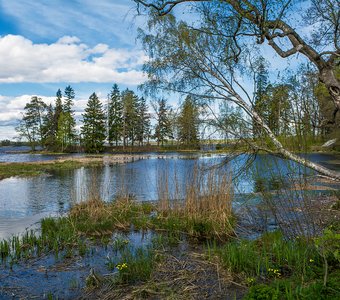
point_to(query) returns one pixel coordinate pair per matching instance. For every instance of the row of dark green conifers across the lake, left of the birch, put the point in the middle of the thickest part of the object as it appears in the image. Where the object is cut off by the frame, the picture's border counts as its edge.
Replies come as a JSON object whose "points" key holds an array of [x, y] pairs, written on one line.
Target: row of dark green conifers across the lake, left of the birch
{"points": [[124, 120]]}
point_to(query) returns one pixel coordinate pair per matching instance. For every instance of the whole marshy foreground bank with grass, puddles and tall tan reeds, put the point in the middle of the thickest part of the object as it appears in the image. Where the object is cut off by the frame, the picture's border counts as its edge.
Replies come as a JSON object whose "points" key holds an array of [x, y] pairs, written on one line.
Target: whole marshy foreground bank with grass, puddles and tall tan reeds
{"points": [[95, 240]]}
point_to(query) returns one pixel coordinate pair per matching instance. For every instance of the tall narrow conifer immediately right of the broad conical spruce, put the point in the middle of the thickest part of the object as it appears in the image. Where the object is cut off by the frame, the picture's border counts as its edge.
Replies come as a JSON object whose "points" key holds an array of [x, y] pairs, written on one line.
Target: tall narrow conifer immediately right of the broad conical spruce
{"points": [[115, 115]]}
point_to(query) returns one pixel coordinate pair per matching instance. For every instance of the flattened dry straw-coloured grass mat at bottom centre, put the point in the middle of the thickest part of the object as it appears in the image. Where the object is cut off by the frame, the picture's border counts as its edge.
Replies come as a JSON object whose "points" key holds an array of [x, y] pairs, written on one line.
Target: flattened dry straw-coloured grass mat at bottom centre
{"points": [[178, 276]]}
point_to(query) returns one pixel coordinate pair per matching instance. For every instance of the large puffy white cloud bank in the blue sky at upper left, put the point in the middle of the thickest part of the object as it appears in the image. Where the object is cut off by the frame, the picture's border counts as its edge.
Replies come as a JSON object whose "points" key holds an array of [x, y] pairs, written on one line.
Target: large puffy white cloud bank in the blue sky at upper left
{"points": [[67, 60]]}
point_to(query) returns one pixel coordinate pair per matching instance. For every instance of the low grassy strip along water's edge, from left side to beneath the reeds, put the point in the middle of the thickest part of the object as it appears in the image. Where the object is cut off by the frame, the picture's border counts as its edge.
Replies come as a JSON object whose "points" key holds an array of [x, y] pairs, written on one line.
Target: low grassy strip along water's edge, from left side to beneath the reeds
{"points": [[96, 220]]}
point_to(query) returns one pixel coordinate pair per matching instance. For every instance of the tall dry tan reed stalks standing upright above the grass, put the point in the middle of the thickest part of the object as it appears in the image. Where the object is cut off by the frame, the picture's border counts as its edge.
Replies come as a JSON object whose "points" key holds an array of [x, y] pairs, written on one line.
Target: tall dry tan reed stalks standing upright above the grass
{"points": [[204, 199]]}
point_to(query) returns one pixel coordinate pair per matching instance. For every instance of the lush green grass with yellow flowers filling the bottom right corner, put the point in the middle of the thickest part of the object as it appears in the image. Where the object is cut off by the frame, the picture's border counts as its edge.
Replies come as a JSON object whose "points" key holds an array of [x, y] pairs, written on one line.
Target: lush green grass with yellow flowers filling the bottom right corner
{"points": [[276, 268]]}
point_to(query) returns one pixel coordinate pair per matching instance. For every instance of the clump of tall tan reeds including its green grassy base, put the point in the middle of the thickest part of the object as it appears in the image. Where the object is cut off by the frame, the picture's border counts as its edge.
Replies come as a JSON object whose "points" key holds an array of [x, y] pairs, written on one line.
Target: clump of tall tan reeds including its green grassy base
{"points": [[205, 211]]}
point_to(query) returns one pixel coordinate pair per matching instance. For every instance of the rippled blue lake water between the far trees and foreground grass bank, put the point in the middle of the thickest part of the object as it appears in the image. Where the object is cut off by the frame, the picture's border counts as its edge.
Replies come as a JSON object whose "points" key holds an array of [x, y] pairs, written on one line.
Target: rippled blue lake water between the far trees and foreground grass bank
{"points": [[24, 201]]}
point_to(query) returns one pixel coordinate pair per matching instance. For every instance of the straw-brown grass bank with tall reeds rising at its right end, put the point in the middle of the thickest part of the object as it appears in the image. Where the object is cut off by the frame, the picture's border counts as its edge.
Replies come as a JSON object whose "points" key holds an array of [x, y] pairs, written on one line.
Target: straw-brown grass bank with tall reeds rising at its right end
{"points": [[205, 212]]}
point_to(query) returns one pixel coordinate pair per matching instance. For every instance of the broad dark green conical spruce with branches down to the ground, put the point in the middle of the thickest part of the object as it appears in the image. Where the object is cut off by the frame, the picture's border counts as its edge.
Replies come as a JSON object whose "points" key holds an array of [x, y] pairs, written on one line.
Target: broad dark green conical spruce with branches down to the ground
{"points": [[93, 129]]}
